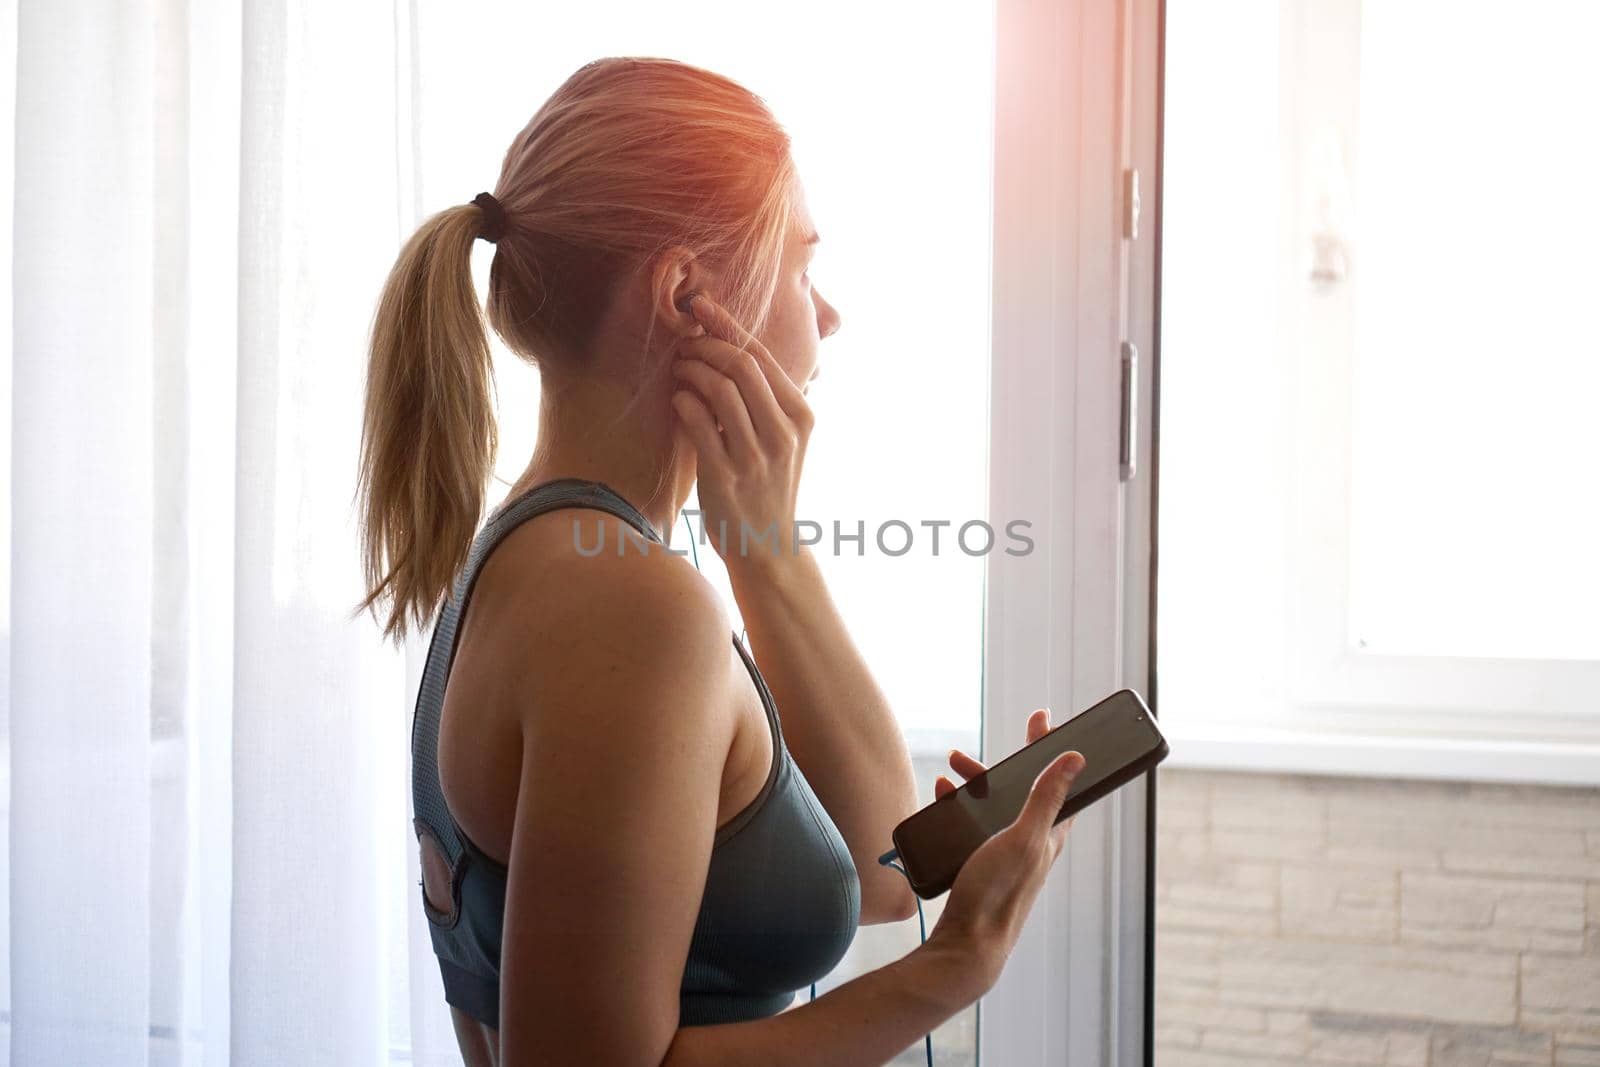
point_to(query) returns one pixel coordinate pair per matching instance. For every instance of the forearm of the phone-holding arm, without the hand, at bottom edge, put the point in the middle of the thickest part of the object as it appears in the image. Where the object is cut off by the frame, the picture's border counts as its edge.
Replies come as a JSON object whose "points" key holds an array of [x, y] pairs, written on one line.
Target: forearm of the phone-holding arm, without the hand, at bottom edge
{"points": [[865, 1023]]}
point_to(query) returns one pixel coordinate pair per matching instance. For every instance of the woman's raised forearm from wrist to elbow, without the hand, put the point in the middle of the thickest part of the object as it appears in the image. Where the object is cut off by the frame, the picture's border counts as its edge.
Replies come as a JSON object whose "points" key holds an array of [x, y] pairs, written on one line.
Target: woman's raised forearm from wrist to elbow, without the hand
{"points": [[838, 722]]}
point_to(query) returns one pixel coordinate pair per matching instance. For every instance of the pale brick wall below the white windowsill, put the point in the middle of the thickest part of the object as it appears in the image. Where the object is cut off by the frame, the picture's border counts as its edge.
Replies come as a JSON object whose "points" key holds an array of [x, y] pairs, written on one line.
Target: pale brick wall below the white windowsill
{"points": [[1335, 921]]}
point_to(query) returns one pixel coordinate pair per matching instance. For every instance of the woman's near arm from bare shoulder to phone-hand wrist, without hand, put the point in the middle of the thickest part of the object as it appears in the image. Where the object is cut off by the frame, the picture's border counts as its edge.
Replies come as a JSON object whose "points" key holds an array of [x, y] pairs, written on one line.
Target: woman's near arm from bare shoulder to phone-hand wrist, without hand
{"points": [[623, 751]]}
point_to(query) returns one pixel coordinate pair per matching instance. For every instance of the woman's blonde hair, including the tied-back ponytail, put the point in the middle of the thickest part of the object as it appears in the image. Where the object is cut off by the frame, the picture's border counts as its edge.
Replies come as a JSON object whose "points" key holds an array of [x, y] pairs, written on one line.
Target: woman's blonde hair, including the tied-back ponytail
{"points": [[628, 158]]}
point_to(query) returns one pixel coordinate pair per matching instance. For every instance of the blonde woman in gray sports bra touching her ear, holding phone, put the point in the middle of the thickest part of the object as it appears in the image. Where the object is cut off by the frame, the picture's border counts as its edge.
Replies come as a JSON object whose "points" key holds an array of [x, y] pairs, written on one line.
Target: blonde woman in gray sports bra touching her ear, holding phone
{"points": [[626, 857]]}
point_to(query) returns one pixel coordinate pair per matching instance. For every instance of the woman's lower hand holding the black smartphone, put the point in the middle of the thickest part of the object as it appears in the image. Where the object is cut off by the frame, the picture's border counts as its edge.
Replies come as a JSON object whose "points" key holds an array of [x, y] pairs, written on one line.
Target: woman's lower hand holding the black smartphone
{"points": [[999, 882]]}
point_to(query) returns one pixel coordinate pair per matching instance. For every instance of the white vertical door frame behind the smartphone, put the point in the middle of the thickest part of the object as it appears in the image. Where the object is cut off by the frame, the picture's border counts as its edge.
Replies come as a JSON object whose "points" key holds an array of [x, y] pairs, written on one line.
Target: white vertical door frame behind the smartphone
{"points": [[1078, 95]]}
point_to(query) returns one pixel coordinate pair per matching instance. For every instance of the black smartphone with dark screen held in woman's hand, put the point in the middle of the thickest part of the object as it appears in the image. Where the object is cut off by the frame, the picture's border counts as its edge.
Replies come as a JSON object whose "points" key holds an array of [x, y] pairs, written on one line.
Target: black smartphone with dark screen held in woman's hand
{"points": [[1119, 741]]}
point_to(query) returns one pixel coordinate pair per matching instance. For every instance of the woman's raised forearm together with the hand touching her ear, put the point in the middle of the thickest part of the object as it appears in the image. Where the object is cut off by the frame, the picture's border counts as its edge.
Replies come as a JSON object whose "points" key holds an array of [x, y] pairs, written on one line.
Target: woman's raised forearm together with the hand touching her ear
{"points": [[836, 721]]}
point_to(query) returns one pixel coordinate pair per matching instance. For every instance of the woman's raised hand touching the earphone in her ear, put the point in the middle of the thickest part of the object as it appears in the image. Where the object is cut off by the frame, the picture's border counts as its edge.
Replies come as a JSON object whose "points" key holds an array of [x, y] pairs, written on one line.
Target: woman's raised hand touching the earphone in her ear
{"points": [[750, 425]]}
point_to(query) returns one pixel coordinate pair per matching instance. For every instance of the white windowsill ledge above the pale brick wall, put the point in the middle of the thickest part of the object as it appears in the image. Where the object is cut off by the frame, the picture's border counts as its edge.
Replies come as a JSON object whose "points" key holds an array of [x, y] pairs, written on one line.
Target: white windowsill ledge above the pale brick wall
{"points": [[1358, 756]]}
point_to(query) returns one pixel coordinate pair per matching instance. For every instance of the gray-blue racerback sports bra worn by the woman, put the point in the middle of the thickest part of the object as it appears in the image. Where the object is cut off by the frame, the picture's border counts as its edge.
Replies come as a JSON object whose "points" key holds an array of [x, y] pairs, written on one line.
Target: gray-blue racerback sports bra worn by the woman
{"points": [[782, 900]]}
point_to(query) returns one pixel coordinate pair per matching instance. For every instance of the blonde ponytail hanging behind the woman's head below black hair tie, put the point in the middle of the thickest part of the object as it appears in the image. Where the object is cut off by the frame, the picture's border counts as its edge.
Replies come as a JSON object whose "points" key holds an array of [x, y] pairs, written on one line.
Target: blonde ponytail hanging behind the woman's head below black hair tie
{"points": [[428, 433]]}
